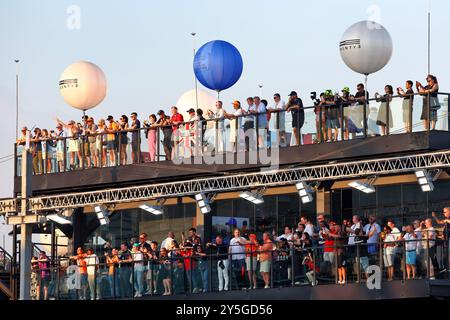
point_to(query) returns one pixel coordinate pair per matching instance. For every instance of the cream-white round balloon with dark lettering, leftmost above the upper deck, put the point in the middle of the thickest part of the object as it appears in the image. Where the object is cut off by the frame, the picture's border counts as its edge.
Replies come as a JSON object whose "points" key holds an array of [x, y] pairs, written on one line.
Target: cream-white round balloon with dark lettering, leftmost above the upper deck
{"points": [[83, 85]]}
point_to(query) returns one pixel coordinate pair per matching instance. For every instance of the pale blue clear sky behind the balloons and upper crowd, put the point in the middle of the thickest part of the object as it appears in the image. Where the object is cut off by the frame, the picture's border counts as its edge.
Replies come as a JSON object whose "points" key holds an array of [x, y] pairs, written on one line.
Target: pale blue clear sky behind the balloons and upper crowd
{"points": [[145, 49]]}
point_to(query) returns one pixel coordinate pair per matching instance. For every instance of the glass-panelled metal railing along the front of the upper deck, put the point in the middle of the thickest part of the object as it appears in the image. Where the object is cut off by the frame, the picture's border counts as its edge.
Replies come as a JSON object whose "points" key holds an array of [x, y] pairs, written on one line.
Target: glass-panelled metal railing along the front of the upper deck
{"points": [[324, 122]]}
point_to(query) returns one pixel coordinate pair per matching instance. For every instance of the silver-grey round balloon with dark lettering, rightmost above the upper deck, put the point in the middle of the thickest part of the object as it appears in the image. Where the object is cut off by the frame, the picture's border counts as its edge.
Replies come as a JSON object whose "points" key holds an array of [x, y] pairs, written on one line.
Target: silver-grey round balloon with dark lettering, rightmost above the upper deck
{"points": [[366, 47]]}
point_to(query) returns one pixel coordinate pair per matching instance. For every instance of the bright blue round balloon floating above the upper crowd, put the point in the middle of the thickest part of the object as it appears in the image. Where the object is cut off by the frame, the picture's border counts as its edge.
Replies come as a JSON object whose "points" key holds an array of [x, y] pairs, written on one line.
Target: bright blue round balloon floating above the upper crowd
{"points": [[218, 65]]}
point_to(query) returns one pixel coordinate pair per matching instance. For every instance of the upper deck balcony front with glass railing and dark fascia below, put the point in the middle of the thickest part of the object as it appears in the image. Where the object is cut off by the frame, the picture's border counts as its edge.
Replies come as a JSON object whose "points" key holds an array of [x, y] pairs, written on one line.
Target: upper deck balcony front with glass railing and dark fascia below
{"points": [[206, 148]]}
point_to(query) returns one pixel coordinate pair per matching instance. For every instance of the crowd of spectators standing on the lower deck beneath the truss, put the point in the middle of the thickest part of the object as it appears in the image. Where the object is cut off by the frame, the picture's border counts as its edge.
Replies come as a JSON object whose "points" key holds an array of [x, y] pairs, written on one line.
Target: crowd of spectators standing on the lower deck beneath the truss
{"points": [[307, 254]]}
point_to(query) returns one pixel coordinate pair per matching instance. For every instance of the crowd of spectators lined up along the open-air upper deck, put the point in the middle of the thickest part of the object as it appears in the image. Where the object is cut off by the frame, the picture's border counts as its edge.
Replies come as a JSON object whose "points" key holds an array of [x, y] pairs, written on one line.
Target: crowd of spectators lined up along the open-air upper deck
{"points": [[109, 142]]}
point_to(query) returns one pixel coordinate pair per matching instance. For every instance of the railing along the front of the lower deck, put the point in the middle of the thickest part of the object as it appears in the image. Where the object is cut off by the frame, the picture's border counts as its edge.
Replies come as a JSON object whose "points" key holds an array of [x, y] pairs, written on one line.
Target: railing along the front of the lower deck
{"points": [[182, 271]]}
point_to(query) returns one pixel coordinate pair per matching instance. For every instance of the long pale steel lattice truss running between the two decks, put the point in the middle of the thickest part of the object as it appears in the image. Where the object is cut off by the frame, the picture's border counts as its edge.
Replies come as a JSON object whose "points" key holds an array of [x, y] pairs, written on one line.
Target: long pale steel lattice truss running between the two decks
{"points": [[235, 182]]}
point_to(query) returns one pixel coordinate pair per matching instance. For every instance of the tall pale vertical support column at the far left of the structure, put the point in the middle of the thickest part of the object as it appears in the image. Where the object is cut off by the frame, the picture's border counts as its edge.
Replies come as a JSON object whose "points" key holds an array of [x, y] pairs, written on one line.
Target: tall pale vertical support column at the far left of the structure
{"points": [[25, 229]]}
